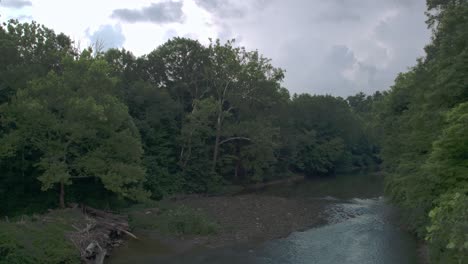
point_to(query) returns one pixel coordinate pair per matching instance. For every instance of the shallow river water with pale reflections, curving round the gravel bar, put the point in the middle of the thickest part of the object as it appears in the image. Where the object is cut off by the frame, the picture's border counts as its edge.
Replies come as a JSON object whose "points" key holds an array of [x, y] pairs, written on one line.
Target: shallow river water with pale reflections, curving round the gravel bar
{"points": [[361, 229]]}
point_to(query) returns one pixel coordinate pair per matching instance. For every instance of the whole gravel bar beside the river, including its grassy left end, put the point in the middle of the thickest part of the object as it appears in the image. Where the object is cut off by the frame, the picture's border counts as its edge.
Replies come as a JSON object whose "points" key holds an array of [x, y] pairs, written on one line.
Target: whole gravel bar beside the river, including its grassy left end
{"points": [[247, 218]]}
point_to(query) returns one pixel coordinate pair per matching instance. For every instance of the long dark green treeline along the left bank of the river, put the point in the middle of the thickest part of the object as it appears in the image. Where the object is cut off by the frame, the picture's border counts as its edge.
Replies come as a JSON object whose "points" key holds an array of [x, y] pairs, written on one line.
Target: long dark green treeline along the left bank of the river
{"points": [[97, 126]]}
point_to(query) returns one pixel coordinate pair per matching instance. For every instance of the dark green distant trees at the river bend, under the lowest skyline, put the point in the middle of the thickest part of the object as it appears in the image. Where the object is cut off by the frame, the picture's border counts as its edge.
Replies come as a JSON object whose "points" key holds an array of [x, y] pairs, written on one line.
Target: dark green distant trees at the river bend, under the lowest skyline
{"points": [[326, 133]]}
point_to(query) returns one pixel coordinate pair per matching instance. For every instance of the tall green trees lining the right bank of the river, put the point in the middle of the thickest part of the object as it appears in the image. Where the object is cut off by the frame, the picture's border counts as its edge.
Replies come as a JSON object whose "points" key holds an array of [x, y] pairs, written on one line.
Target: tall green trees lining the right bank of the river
{"points": [[423, 123]]}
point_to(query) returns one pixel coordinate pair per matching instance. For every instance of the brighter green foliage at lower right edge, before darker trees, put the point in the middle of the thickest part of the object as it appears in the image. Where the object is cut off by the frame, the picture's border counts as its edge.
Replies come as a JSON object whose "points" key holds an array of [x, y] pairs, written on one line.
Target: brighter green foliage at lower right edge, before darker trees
{"points": [[447, 168]]}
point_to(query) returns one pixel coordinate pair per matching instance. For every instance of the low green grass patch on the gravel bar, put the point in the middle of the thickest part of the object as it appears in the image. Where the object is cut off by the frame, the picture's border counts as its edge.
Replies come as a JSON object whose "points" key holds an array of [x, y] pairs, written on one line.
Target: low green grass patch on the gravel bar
{"points": [[177, 220]]}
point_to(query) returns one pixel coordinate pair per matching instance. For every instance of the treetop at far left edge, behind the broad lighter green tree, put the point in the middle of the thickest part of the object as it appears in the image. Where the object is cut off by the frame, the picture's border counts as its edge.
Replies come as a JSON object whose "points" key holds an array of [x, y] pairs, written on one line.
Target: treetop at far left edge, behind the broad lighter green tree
{"points": [[27, 51]]}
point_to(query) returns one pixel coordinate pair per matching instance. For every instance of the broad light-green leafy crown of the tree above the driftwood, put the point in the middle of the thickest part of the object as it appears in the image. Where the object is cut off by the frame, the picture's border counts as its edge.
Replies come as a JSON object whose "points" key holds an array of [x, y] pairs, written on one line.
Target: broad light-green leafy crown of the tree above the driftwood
{"points": [[79, 128]]}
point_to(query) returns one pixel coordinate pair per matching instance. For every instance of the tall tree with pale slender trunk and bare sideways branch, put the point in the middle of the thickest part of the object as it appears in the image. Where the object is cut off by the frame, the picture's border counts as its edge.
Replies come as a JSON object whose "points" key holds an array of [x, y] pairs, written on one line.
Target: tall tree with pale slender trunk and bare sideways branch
{"points": [[237, 77]]}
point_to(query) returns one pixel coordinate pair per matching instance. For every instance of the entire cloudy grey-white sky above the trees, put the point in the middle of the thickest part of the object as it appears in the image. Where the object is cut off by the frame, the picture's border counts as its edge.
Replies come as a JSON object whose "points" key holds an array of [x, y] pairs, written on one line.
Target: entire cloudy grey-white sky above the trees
{"points": [[336, 47]]}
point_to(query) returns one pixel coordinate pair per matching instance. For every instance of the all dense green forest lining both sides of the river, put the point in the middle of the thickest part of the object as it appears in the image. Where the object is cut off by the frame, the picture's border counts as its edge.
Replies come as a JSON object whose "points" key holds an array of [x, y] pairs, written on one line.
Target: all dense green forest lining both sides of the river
{"points": [[109, 129]]}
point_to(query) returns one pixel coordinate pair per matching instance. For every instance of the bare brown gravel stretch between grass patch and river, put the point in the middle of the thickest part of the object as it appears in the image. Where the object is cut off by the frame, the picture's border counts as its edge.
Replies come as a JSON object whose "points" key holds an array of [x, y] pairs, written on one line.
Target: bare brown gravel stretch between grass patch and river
{"points": [[252, 217]]}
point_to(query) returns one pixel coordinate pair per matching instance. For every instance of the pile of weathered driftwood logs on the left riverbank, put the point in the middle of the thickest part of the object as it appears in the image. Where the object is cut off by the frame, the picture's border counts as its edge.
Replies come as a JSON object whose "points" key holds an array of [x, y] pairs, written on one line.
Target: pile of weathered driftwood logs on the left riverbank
{"points": [[99, 234]]}
